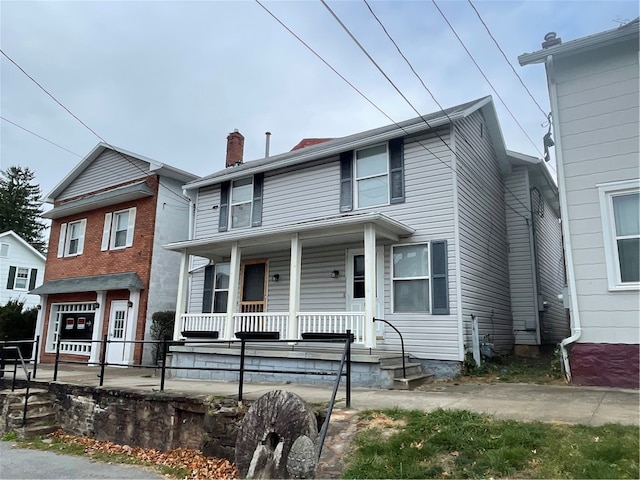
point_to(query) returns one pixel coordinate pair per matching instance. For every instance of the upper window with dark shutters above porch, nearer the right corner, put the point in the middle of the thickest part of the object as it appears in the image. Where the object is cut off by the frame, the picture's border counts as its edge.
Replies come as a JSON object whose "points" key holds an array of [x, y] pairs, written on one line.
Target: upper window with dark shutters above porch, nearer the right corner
{"points": [[372, 176]]}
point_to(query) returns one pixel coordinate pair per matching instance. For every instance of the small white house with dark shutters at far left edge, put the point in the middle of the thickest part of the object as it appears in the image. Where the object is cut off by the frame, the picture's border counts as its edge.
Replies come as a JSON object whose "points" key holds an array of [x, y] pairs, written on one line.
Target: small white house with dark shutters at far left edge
{"points": [[19, 256]]}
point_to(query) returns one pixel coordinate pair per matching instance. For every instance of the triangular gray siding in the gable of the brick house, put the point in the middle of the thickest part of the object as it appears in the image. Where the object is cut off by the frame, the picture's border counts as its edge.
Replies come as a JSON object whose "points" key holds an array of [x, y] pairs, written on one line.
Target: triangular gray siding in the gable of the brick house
{"points": [[109, 169]]}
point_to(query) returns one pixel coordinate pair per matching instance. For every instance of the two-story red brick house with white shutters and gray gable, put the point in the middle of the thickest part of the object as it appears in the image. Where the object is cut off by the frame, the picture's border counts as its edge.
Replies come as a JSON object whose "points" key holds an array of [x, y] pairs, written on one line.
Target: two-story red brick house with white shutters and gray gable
{"points": [[106, 272]]}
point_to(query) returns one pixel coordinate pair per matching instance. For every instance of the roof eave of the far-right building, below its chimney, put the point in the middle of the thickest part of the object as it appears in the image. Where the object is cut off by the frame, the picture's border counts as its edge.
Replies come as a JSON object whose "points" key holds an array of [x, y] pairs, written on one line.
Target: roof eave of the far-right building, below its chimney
{"points": [[623, 33]]}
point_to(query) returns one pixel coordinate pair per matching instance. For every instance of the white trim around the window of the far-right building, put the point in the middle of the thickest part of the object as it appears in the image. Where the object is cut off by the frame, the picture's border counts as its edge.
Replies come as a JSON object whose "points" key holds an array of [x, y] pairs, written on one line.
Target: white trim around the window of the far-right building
{"points": [[606, 191]]}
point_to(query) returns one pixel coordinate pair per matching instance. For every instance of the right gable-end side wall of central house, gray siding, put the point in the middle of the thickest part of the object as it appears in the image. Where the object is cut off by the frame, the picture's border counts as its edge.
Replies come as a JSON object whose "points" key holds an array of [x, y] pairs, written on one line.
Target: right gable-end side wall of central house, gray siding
{"points": [[483, 237]]}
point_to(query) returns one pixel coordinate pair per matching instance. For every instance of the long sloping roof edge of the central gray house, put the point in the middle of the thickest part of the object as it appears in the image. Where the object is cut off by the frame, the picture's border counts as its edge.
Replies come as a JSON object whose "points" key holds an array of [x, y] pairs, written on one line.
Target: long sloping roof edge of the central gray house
{"points": [[363, 139]]}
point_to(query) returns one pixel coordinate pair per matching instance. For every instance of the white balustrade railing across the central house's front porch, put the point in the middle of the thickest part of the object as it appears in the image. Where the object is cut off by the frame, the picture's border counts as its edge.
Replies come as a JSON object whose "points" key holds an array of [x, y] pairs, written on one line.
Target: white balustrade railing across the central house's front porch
{"points": [[307, 322]]}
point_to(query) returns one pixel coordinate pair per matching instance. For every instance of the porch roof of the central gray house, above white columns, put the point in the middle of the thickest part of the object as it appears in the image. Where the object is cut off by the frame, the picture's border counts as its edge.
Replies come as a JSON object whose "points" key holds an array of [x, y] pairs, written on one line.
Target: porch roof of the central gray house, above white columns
{"points": [[337, 229]]}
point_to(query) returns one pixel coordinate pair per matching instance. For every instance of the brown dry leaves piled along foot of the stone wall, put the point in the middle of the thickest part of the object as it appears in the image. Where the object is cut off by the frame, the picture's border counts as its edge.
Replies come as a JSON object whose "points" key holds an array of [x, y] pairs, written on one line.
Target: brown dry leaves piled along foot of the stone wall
{"points": [[199, 466]]}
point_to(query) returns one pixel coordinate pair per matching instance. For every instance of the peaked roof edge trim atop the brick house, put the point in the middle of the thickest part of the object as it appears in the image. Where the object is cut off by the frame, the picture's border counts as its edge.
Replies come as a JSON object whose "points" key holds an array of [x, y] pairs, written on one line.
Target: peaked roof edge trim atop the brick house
{"points": [[154, 167]]}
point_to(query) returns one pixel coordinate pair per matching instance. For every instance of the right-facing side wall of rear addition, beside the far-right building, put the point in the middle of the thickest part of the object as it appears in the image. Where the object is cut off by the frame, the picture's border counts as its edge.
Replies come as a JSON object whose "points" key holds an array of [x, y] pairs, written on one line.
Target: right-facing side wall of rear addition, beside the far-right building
{"points": [[550, 264]]}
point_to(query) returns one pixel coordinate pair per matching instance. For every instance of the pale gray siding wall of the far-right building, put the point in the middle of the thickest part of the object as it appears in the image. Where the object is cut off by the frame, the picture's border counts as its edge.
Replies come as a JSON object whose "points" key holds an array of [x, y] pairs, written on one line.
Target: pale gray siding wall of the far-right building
{"points": [[599, 124]]}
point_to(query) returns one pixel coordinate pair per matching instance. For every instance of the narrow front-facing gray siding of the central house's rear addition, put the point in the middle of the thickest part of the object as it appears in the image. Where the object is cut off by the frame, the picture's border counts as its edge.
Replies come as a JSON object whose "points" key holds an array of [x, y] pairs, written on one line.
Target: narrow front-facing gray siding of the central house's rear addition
{"points": [[522, 285]]}
